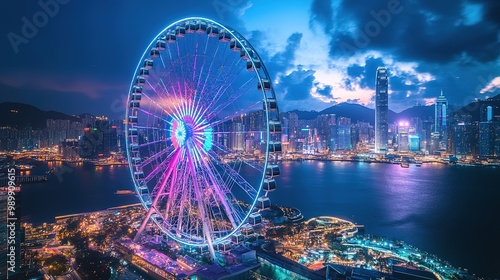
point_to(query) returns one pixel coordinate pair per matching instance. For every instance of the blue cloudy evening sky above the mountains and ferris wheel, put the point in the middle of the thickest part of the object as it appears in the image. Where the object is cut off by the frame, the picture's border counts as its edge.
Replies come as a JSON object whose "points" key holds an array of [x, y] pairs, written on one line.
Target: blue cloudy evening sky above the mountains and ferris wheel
{"points": [[82, 56]]}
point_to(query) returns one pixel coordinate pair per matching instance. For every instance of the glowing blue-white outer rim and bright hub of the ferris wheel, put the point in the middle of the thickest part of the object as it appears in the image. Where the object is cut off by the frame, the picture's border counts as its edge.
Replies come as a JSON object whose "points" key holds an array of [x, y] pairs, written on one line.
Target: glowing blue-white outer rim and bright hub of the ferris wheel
{"points": [[179, 133]]}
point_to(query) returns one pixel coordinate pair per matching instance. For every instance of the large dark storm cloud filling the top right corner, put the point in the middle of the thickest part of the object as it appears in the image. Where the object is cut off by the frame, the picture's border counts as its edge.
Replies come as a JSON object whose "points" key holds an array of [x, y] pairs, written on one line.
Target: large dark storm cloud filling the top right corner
{"points": [[431, 31]]}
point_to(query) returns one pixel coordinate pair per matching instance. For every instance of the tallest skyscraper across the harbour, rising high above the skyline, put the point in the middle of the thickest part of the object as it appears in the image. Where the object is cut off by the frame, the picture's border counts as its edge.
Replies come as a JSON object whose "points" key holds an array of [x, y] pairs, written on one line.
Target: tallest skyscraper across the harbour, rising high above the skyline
{"points": [[381, 110]]}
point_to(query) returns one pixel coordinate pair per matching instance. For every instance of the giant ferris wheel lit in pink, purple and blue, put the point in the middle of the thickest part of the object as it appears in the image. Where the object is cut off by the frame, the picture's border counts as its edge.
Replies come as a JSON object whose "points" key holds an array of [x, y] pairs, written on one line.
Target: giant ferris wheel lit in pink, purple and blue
{"points": [[202, 133]]}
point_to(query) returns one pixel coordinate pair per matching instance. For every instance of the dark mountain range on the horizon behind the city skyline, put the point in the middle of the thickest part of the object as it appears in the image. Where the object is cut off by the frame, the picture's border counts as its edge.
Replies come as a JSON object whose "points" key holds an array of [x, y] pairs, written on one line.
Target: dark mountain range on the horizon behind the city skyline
{"points": [[20, 115]]}
